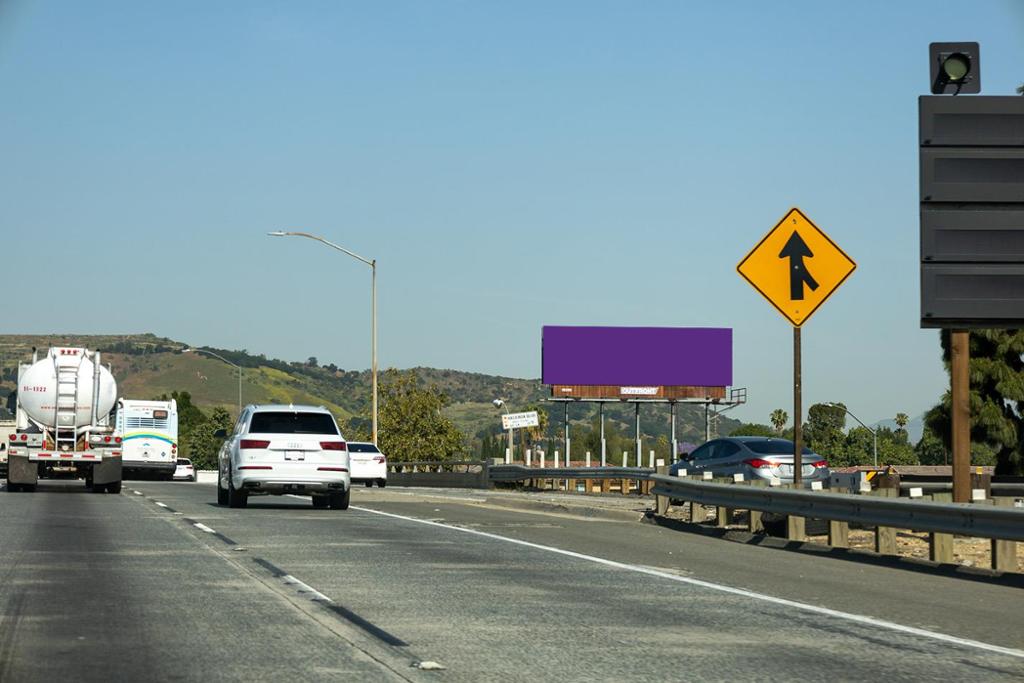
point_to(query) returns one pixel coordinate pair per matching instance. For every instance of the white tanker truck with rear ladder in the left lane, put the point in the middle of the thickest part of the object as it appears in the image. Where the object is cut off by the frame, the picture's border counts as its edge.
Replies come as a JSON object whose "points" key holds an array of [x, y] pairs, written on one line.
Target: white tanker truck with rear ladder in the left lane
{"points": [[63, 422]]}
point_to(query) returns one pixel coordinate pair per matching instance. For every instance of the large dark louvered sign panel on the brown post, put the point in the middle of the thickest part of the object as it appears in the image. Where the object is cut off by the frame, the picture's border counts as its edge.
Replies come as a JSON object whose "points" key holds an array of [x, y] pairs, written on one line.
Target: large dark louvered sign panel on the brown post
{"points": [[972, 212]]}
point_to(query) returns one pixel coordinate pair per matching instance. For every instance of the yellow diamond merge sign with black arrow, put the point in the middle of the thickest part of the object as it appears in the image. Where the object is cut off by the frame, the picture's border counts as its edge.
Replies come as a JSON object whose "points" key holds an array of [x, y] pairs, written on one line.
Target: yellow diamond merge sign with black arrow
{"points": [[796, 267]]}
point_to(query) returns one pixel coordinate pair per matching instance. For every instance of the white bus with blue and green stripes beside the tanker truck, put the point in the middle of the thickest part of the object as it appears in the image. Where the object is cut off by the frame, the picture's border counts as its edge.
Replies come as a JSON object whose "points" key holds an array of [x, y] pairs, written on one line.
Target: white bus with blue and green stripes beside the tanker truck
{"points": [[149, 432]]}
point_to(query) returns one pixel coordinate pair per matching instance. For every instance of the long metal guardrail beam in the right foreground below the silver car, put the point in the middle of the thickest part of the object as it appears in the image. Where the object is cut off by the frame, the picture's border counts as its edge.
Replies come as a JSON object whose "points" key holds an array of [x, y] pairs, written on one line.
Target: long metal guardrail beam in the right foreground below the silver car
{"points": [[961, 519]]}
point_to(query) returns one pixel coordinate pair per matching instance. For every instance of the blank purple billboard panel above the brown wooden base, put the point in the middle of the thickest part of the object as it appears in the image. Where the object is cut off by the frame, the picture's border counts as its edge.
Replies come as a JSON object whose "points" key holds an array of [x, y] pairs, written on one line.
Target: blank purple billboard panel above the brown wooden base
{"points": [[651, 357]]}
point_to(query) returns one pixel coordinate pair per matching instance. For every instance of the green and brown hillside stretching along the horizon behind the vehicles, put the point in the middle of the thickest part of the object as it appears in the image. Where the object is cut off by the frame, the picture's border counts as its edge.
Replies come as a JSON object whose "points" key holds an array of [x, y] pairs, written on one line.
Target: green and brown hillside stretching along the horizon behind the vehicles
{"points": [[148, 367]]}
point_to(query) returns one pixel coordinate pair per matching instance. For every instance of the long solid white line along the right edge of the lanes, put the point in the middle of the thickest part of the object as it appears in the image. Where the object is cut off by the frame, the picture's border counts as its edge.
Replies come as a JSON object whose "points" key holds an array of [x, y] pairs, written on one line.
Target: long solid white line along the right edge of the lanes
{"points": [[849, 617]]}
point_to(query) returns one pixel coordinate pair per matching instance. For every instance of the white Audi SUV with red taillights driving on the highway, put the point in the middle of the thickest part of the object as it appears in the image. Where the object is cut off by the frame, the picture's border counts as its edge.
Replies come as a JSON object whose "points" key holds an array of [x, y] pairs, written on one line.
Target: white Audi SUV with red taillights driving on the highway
{"points": [[278, 450]]}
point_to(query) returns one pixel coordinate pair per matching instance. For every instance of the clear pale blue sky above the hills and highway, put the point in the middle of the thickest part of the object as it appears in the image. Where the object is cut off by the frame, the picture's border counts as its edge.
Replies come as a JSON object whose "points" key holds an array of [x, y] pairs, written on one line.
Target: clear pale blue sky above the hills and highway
{"points": [[510, 165]]}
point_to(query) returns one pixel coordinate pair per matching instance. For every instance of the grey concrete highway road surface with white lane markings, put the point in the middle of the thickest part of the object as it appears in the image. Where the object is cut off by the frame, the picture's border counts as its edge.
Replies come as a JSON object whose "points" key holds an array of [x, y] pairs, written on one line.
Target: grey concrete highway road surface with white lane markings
{"points": [[409, 585]]}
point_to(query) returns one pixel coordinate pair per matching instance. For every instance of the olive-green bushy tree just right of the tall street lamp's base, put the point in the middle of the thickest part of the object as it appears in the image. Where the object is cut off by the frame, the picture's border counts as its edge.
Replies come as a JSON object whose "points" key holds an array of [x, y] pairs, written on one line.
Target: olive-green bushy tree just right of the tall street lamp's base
{"points": [[411, 424]]}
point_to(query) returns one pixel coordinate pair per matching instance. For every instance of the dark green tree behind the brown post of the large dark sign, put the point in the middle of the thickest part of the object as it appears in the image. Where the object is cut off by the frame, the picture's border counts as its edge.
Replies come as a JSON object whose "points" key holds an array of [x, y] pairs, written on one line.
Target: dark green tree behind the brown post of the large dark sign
{"points": [[997, 372]]}
